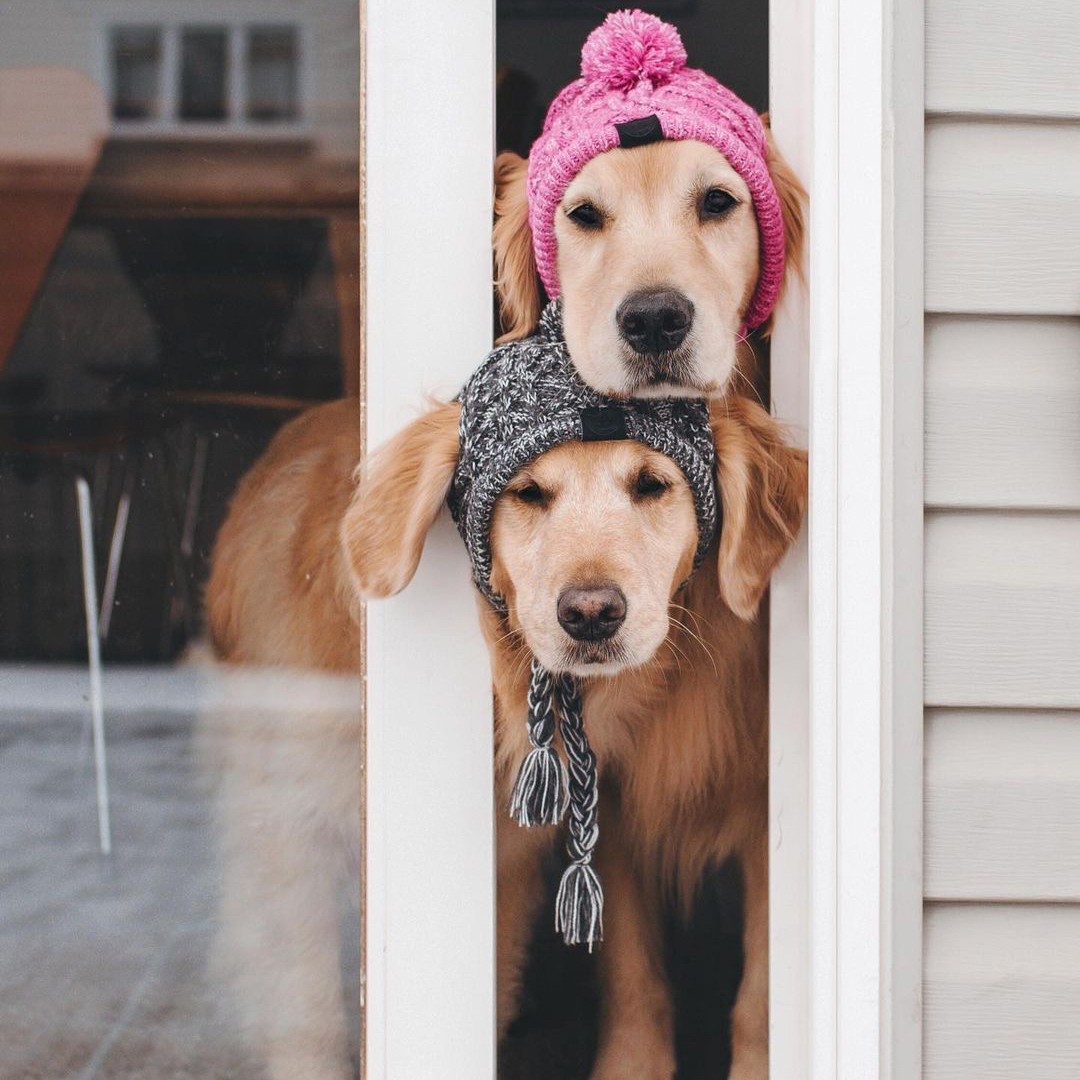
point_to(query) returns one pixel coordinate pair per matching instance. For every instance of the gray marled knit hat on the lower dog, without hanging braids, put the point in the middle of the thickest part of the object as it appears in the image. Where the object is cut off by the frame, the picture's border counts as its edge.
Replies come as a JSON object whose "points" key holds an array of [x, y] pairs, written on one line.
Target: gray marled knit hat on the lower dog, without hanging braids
{"points": [[528, 398]]}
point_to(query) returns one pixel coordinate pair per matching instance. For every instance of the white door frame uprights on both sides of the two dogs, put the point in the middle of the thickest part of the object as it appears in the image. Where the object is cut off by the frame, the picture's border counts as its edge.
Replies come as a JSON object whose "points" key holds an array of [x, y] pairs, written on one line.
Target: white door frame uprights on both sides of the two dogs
{"points": [[847, 687]]}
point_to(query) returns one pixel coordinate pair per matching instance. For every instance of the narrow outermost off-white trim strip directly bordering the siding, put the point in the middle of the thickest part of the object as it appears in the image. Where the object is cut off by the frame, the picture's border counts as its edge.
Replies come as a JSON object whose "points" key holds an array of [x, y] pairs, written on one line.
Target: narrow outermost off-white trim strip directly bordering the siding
{"points": [[903, 424]]}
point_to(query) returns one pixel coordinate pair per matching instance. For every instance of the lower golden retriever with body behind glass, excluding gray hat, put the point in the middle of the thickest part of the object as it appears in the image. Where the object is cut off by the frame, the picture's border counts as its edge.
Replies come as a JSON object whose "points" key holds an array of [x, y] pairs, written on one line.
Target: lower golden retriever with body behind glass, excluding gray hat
{"points": [[679, 724]]}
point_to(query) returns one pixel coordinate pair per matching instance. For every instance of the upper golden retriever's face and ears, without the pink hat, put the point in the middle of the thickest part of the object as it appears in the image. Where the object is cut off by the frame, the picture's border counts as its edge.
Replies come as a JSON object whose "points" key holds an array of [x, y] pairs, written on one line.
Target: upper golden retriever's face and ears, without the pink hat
{"points": [[633, 231]]}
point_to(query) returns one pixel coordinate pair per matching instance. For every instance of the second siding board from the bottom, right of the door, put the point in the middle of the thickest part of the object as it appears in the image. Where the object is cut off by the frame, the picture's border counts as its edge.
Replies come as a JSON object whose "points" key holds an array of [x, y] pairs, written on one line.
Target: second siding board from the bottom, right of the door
{"points": [[1003, 806]]}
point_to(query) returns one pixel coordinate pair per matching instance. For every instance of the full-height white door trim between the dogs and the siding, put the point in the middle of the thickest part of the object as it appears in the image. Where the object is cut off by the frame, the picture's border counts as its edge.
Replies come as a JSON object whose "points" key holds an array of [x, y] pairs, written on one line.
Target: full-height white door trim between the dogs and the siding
{"points": [[847, 105]]}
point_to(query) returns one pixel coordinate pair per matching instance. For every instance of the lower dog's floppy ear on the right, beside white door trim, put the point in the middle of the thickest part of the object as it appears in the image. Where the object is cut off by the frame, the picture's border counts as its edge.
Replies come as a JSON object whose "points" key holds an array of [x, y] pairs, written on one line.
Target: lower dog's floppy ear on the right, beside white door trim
{"points": [[763, 485]]}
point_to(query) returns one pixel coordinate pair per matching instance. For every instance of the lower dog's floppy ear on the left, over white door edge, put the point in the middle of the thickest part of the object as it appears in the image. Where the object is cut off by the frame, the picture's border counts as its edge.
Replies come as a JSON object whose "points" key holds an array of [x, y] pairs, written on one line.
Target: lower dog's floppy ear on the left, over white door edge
{"points": [[399, 494]]}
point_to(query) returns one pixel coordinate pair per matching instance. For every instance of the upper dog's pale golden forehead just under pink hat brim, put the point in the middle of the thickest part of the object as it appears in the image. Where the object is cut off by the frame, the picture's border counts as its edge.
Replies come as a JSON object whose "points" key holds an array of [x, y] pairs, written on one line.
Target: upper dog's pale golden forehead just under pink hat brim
{"points": [[673, 164]]}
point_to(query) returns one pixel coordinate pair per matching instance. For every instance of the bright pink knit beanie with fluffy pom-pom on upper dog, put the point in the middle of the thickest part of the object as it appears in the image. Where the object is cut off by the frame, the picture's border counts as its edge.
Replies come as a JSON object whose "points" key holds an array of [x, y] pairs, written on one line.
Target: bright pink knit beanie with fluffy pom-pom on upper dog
{"points": [[634, 89]]}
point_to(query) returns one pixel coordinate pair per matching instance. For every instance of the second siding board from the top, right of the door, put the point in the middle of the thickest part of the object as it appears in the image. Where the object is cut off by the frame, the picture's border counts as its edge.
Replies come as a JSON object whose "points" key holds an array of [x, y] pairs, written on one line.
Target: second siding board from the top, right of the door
{"points": [[1003, 228]]}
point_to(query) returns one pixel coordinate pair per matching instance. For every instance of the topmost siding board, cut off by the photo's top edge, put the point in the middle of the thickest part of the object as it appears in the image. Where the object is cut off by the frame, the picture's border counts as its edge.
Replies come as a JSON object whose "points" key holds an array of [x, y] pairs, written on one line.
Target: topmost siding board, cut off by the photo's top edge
{"points": [[1004, 57]]}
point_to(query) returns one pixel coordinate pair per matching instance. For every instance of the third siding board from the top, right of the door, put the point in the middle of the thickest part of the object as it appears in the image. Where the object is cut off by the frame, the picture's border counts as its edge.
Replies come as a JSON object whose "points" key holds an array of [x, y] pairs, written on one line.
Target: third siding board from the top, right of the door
{"points": [[1003, 413]]}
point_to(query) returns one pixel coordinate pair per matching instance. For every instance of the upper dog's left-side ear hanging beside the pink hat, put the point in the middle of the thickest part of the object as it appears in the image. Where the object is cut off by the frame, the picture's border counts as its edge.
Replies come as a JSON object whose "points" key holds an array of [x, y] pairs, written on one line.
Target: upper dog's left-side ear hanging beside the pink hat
{"points": [[517, 281]]}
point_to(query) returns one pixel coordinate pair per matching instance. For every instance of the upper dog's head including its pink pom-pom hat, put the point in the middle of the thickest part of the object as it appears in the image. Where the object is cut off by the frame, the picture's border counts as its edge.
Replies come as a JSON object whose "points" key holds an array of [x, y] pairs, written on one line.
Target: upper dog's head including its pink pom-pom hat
{"points": [[656, 209]]}
